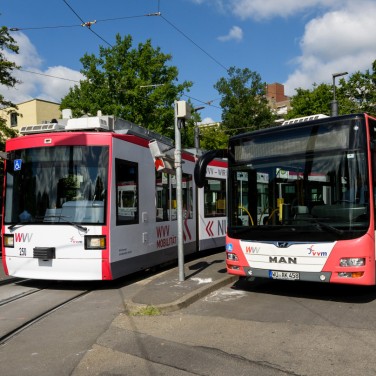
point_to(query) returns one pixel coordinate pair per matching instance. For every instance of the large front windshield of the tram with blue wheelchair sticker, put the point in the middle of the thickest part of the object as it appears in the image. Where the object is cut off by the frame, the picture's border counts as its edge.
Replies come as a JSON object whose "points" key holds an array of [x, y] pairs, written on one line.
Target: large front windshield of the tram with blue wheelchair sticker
{"points": [[63, 184]]}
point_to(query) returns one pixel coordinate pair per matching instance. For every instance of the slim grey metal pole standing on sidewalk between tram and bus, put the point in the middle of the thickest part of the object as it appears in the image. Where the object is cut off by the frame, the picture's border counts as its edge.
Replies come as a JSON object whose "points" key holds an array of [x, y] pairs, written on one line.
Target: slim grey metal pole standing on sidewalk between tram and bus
{"points": [[179, 196]]}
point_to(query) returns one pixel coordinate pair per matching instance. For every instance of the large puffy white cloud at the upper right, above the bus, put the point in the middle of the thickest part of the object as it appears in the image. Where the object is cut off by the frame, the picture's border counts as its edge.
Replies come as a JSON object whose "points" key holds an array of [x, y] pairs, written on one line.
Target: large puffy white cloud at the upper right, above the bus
{"points": [[340, 40]]}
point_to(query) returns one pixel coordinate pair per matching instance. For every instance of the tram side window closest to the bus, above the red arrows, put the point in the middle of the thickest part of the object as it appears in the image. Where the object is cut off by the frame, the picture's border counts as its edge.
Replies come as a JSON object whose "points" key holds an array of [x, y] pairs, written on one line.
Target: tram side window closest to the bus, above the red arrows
{"points": [[215, 198]]}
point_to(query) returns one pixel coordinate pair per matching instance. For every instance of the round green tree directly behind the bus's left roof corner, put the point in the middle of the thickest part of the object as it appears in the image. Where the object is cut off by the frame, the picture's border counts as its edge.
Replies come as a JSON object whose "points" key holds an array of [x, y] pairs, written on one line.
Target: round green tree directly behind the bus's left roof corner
{"points": [[244, 104]]}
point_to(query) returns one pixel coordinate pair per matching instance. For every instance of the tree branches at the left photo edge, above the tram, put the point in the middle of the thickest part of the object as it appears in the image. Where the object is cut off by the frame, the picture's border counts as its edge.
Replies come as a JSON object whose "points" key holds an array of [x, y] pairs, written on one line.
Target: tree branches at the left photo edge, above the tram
{"points": [[7, 80]]}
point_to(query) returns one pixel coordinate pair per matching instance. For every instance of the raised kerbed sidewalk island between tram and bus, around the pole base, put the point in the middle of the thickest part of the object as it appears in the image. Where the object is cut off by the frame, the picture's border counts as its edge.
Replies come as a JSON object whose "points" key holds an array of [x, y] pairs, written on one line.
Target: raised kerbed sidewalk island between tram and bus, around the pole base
{"points": [[166, 293]]}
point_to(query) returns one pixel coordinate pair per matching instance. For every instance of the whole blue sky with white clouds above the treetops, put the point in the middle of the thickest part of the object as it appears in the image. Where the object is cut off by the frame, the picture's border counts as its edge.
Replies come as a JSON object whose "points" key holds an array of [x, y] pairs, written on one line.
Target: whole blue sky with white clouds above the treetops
{"points": [[293, 42]]}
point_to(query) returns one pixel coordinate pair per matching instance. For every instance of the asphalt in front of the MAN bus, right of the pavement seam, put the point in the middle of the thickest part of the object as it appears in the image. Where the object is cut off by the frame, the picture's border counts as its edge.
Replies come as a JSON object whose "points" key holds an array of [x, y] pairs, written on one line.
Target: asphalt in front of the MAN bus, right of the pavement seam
{"points": [[264, 328]]}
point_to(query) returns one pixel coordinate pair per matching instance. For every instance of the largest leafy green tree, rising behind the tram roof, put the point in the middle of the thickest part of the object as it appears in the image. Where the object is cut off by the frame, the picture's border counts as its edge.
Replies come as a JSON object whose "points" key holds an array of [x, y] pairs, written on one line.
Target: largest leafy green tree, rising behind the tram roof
{"points": [[135, 84]]}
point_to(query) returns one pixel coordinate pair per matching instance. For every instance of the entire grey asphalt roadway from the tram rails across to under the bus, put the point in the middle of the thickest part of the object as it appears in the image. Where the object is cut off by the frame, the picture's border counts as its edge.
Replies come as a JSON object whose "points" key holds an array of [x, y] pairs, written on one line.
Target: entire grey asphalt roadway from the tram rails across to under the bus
{"points": [[261, 328]]}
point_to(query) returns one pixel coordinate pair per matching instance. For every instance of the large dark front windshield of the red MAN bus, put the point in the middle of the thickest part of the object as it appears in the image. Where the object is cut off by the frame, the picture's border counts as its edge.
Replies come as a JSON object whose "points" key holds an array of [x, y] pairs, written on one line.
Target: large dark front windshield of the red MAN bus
{"points": [[300, 180]]}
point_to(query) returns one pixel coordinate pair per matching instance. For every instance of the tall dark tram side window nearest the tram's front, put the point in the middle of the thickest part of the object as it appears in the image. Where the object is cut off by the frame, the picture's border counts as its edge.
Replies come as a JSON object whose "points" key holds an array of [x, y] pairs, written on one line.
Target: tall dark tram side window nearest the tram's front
{"points": [[127, 211]]}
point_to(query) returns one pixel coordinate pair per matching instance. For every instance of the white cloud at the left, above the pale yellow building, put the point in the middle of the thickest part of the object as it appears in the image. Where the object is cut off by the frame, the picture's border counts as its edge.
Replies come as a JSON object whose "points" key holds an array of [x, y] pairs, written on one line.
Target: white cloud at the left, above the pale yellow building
{"points": [[34, 81]]}
